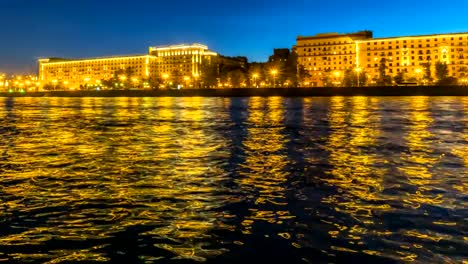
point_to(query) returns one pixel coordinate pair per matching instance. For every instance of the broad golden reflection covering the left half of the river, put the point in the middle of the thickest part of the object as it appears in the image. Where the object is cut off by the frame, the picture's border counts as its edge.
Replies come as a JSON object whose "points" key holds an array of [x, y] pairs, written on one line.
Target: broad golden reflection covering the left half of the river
{"points": [[114, 157]]}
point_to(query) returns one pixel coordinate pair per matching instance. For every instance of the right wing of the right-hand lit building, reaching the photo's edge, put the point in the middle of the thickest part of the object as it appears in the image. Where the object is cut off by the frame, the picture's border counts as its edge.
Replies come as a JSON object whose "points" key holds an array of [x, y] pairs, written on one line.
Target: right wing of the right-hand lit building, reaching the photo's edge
{"points": [[410, 55]]}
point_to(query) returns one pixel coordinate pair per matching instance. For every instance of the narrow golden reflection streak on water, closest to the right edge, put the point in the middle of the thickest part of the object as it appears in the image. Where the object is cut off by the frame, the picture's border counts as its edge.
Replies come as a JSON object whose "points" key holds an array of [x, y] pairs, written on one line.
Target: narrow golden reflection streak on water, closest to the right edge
{"points": [[420, 159]]}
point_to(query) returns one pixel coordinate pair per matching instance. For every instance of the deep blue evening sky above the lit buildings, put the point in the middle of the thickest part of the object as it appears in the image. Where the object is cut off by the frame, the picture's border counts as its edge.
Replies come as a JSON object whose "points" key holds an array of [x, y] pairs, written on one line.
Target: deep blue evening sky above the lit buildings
{"points": [[81, 28]]}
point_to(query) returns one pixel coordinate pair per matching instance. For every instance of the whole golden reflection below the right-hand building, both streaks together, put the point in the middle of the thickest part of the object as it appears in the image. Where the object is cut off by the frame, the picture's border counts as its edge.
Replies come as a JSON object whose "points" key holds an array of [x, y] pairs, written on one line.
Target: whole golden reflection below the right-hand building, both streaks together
{"points": [[359, 173]]}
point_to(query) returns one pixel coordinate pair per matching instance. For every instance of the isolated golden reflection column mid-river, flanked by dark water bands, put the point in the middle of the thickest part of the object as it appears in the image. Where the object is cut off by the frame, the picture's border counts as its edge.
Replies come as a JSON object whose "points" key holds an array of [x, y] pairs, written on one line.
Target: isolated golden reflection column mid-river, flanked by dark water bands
{"points": [[263, 175]]}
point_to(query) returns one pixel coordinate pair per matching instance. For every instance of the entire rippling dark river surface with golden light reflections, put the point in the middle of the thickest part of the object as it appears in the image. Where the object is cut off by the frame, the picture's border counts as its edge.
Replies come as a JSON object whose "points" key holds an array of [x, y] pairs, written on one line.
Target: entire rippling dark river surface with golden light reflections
{"points": [[242, 180]]}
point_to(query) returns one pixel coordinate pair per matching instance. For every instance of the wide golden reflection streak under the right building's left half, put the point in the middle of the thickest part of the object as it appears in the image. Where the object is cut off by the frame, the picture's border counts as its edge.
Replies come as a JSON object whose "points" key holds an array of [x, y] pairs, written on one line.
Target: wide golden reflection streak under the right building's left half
{"points": [[354, 134]]}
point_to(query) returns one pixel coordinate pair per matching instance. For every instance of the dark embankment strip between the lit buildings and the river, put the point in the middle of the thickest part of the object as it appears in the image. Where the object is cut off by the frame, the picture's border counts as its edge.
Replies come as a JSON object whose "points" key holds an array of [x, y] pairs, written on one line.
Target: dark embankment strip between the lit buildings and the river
{"points": [[247, 92]]}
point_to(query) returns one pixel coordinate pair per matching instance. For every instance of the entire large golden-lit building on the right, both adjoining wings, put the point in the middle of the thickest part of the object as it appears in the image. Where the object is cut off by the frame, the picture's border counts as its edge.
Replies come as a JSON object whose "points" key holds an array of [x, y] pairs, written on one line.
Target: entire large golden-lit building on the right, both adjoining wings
{"points": [[331, 54]]}
